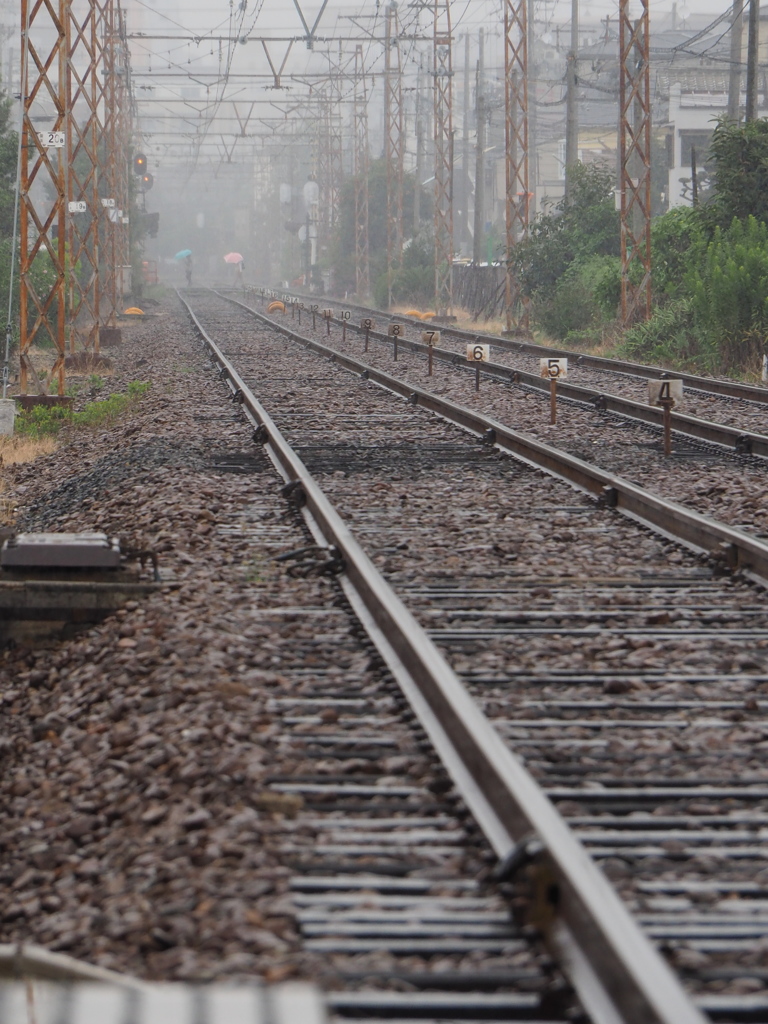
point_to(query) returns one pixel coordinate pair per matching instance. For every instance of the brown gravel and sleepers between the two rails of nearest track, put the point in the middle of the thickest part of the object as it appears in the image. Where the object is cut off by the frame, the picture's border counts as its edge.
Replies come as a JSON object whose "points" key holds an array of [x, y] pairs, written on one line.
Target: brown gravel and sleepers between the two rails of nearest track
{"points": [[626, 673]]}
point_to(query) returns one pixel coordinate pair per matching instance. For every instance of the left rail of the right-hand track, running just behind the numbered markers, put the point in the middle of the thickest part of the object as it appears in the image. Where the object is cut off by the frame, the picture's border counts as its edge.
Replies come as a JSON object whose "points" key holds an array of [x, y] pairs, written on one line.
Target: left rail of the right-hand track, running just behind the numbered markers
{"points": [[746, 442]]}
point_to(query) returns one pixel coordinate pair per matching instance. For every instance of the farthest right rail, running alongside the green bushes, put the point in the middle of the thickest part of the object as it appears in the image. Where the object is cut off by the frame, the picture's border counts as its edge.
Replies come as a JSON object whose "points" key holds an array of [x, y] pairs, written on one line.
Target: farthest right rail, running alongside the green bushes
{"points": [[730, 390]]}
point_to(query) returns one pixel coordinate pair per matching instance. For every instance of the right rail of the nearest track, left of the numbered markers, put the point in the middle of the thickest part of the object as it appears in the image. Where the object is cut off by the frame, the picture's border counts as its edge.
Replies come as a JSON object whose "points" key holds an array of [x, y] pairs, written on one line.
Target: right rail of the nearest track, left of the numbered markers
{"points": [[736, 548]]}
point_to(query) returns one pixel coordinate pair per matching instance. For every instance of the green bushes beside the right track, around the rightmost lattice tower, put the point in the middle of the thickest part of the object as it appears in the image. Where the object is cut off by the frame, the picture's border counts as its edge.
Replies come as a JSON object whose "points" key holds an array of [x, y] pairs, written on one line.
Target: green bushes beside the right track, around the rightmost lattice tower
{"points": [[709, 266]]}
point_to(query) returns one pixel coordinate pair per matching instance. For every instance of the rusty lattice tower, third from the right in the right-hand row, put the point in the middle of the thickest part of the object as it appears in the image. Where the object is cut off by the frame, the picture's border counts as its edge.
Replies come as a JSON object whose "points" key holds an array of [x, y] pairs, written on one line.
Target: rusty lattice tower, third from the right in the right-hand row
{"points": [[444, 158]]}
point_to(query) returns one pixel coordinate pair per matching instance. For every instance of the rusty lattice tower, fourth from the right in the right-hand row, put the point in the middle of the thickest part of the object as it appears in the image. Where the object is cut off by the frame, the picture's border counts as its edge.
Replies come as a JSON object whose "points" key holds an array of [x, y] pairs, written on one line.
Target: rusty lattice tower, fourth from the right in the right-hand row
{"points": [[395, 143]]}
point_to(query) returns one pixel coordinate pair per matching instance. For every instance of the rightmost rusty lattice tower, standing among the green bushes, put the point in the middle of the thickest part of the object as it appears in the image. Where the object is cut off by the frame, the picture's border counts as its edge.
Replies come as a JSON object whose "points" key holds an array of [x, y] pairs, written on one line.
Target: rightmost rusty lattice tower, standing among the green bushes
{"points": [[634, 99]]}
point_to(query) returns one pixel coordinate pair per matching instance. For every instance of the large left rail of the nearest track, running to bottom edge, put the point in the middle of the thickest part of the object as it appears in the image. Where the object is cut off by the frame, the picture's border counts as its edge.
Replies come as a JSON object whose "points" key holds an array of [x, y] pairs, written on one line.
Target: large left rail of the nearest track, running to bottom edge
{"points": [[617, 972]]}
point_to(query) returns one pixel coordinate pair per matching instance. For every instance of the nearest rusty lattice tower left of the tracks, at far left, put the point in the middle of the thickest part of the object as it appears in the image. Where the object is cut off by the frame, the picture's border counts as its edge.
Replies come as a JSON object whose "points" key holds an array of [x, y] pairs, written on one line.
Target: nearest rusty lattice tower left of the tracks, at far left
{"points": [[44, 188]]}
